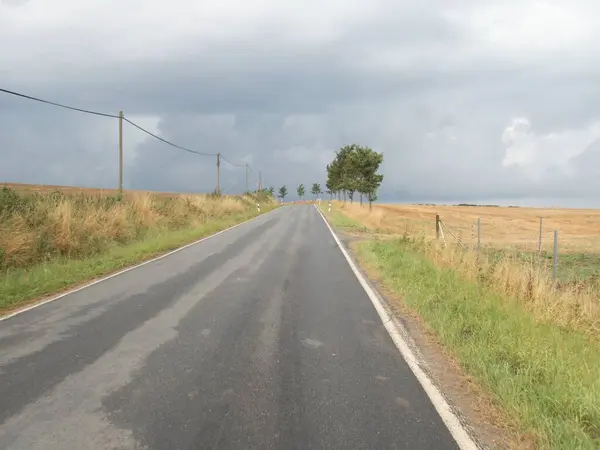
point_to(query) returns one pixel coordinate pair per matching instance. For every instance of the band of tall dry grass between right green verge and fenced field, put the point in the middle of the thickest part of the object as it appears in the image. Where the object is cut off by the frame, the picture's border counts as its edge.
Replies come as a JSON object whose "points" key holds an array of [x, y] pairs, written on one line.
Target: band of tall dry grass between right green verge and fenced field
{"points": [[571, 302]]}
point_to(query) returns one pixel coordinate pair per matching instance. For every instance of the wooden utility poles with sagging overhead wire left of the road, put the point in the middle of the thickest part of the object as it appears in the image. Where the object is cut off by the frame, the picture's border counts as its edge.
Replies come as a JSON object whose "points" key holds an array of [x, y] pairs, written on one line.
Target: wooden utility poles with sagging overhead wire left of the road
{"points": [[122, 118]]}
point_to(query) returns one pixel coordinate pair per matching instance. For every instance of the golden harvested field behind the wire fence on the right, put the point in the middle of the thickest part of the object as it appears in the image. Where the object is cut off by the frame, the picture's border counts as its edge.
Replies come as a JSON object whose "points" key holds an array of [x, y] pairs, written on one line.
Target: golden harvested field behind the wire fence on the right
{"points": [[510, 232]]}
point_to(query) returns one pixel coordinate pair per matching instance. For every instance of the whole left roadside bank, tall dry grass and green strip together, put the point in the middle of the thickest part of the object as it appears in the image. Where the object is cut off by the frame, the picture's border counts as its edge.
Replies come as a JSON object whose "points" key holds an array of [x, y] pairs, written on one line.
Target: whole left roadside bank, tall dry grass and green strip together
{"points": [[54, 237]]}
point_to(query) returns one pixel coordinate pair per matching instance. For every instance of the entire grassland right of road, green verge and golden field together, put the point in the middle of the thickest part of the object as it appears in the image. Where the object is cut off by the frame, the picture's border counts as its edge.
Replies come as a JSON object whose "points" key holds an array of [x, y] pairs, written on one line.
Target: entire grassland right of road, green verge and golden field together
{"points": [[530, 342]]}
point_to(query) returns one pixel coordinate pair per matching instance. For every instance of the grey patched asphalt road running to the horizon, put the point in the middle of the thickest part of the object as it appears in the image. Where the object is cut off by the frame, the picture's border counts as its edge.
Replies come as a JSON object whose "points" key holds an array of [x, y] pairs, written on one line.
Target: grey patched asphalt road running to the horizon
{"points": [[258, 338]]}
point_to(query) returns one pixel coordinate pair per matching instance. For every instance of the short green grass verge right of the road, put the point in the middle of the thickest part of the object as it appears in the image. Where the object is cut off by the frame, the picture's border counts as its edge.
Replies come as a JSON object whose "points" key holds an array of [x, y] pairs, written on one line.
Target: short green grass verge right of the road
{"points": [[545, 377]]}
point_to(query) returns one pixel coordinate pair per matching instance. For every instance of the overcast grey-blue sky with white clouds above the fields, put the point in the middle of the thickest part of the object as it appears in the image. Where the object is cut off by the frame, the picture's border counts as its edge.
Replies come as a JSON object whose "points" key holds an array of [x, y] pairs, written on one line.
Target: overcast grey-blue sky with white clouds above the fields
{"points": [[469, 100]]}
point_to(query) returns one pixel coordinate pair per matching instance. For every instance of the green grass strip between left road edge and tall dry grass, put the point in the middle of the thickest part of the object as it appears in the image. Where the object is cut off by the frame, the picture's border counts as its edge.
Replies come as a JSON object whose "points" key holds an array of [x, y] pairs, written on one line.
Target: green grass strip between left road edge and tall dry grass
{"points": [[18, 286]]}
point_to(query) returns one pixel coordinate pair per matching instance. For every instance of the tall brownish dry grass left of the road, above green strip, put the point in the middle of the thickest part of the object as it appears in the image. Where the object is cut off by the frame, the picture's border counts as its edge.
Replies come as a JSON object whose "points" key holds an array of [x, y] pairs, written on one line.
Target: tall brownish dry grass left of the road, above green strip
{"points": [[36, 227]]}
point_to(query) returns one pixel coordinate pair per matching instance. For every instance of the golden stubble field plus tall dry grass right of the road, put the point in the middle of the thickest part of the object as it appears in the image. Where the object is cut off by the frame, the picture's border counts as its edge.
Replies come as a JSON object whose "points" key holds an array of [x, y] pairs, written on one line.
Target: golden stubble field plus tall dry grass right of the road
{"points": [[573, 304]]}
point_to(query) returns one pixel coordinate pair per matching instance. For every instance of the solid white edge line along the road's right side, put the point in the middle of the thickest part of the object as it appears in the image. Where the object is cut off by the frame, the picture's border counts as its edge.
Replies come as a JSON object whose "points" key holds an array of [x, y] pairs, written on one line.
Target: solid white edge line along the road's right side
{"points": [[460, 434]]}
